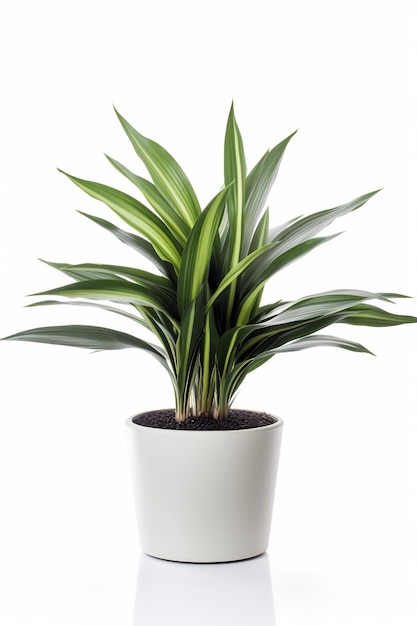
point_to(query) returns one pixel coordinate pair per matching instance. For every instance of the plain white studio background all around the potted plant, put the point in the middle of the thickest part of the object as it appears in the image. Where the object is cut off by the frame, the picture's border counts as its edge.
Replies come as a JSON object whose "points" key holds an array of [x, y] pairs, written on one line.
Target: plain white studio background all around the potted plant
{"points": [[344, 538]]}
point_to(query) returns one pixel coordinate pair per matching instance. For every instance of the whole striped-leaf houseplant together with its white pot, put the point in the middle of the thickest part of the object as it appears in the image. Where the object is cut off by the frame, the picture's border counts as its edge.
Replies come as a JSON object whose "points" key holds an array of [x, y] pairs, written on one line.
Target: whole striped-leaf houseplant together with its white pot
{"points": [[205, 473]]}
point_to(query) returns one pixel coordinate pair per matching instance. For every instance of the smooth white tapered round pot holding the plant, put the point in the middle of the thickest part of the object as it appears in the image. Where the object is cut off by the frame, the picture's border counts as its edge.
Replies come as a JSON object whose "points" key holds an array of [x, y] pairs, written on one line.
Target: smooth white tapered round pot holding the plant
{"points": [[204, 496]]}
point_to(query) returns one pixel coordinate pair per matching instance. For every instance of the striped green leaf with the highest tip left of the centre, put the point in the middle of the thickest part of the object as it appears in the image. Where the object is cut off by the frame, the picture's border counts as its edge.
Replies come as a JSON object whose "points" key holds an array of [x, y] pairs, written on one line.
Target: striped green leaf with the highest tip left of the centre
{"points": [[167, 175]]}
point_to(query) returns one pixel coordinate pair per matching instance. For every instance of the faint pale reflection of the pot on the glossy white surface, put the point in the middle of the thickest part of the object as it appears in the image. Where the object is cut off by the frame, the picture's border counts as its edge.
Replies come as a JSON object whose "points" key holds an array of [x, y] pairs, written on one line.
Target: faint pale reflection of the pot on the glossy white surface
{"points": [[232, 594]]}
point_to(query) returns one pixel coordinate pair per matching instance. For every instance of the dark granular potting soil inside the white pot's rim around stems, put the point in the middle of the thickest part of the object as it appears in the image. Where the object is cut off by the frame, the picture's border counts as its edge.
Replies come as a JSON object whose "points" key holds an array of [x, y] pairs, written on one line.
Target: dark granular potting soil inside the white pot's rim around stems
{"points": [[236, 420]]}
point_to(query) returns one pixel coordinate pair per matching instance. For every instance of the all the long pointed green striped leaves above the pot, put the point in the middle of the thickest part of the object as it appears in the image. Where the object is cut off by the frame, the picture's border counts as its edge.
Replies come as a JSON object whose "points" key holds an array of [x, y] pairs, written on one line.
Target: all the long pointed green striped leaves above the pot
{"points": [[204, 301]]}
